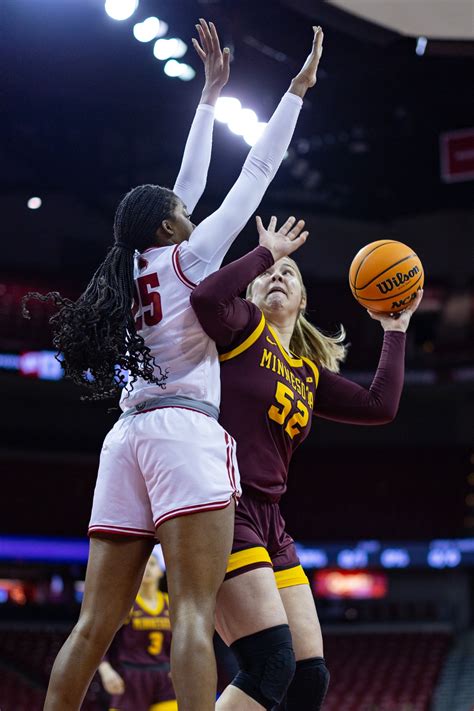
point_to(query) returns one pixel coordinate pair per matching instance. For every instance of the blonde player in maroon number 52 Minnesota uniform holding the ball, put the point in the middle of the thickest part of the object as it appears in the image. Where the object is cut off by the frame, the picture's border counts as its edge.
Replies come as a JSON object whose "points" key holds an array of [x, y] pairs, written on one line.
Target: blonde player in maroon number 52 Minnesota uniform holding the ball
{"points": [[276, 371]]}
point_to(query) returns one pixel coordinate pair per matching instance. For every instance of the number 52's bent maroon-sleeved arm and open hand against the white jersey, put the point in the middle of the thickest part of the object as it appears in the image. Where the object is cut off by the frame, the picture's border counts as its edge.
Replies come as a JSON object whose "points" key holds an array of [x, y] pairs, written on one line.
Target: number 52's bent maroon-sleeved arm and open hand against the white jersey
{"points": [[224, 316]]}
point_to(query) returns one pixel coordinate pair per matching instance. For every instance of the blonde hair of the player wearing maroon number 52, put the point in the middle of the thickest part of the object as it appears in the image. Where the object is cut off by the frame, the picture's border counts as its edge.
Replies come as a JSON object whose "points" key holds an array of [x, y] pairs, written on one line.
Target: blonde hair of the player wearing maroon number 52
{"points": [[308, 341]]}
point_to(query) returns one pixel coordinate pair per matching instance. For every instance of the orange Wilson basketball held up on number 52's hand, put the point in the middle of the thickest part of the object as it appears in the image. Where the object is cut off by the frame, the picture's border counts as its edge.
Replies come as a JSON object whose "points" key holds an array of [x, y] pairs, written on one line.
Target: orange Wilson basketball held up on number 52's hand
{"points": [[385, 276]]}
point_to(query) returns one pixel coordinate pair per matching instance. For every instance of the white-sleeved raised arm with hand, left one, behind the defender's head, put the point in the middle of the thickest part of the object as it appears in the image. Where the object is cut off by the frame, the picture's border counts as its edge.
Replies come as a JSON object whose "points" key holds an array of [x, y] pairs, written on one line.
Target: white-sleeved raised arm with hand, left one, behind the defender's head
{"points": [[192, 177]]}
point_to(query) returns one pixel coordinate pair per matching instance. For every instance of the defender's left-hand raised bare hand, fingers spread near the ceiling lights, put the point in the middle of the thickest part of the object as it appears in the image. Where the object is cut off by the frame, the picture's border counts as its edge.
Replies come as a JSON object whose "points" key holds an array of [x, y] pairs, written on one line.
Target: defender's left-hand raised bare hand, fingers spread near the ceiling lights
{"points": [[216, 62]]}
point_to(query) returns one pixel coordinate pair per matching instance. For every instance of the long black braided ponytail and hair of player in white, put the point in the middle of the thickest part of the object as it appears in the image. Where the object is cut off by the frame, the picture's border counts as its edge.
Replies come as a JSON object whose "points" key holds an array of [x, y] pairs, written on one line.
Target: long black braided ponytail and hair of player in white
{"points": [[95, 336]]}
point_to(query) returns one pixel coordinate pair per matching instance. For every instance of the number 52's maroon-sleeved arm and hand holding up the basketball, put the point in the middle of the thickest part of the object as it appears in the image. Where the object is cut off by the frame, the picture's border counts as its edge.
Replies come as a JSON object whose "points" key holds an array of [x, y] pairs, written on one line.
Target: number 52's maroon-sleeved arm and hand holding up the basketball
{"points": [[342, 400]]}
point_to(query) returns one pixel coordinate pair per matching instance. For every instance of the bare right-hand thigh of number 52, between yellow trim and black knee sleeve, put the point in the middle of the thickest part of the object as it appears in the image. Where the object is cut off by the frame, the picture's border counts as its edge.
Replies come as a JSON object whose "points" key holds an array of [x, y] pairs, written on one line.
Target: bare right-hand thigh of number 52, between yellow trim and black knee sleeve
{"points": [[303, 619]]}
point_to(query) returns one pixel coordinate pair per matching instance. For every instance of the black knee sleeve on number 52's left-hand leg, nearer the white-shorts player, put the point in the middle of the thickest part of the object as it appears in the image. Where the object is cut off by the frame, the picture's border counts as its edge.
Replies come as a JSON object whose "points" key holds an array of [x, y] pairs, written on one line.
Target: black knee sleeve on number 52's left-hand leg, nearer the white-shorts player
{"points": [[267, 664]]}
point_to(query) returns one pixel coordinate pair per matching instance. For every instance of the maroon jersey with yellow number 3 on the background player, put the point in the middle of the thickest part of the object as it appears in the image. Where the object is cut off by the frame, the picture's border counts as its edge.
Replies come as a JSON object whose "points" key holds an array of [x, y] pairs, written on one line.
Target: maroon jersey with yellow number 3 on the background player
{"points": [[145, 638]]}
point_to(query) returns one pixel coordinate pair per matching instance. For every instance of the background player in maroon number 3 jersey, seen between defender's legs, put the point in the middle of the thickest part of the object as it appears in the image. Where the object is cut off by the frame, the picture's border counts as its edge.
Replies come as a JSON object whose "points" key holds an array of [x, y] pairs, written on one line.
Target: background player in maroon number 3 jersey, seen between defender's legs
{"points": [[136, 669]]}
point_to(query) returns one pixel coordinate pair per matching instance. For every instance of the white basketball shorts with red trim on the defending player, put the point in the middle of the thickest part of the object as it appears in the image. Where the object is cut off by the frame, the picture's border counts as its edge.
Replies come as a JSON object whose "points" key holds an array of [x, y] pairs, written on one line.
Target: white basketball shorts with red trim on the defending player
{"points": [[160, 464]]}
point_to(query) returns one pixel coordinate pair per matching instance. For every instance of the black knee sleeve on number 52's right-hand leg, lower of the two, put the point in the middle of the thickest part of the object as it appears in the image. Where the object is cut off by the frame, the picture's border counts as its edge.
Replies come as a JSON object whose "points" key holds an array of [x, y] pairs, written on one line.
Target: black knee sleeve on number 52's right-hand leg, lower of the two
{"points": [[309, 685]]}
